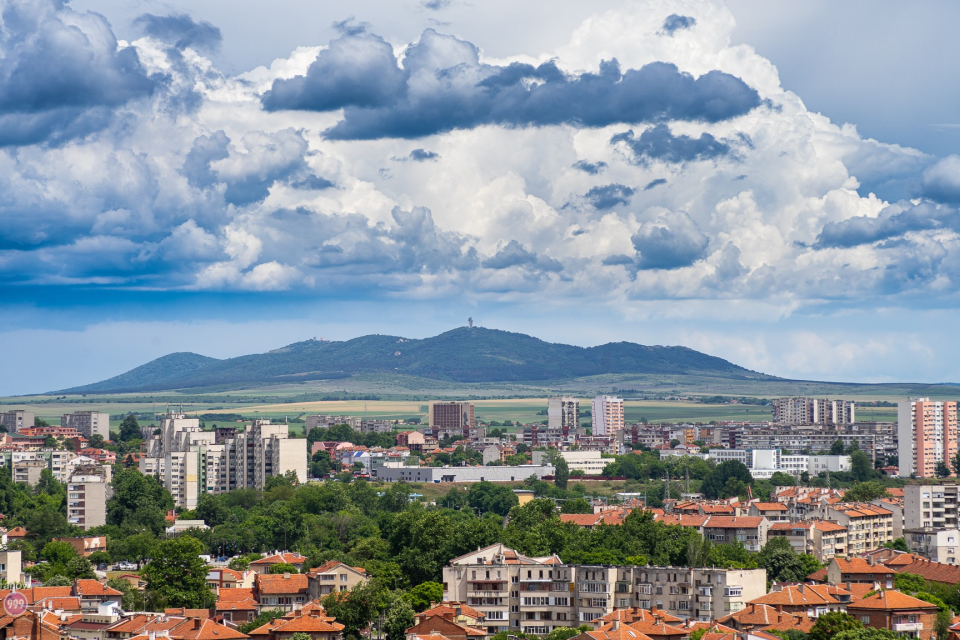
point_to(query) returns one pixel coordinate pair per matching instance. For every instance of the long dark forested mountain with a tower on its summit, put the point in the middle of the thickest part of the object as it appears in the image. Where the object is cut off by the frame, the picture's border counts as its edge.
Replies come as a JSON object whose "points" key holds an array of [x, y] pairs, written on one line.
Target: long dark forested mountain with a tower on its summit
{"points": [[461, 355]]}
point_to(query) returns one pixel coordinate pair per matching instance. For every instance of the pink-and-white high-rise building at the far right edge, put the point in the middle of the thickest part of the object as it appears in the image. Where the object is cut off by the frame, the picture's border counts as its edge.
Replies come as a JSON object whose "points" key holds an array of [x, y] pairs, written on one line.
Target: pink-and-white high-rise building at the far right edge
{"points": [[927, 434]]}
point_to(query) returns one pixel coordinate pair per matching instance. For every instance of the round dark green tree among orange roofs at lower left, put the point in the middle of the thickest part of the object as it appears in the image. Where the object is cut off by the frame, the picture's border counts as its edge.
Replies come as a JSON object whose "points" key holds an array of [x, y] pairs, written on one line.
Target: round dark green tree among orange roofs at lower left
{"points": [[177, 577]]}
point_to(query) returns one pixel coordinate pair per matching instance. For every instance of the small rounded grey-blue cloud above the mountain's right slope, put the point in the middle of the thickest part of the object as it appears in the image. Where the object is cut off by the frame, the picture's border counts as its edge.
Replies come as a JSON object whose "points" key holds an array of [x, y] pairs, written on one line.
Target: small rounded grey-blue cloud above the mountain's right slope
{"points": [[674, 240]]}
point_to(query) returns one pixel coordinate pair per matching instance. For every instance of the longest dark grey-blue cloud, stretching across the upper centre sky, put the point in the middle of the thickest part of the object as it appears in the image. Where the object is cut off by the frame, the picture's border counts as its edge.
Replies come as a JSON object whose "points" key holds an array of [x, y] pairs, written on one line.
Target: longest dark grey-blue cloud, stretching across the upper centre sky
{"points": [[443, 87]]}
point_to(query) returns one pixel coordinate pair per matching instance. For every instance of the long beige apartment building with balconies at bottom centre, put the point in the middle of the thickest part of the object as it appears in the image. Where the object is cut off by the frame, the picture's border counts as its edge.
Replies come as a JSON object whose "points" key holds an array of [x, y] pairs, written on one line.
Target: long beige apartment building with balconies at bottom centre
{"points": [[538, 595]]}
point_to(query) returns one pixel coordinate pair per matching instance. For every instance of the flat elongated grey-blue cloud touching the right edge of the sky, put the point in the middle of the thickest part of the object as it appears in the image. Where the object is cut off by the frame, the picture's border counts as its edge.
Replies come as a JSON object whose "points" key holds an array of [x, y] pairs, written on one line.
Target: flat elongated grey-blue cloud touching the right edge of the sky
{"points": [[893, 222]]}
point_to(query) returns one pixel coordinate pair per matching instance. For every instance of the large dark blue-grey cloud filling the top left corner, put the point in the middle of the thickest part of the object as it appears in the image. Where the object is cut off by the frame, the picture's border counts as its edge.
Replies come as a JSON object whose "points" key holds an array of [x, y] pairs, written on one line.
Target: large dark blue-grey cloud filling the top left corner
{"points": [[61, 74]]}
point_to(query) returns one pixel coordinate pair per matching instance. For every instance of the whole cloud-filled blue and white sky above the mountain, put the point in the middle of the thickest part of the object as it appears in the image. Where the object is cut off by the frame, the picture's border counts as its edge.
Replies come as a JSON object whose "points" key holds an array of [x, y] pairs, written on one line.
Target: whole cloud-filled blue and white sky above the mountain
{"points": [[773, 184]]}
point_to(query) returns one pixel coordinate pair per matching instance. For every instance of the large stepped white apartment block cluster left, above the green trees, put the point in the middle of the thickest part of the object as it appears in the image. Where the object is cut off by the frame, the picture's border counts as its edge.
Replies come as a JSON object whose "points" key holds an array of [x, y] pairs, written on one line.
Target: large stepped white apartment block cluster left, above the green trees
{"points": [[190, 462]]}
